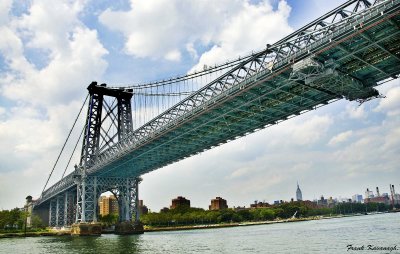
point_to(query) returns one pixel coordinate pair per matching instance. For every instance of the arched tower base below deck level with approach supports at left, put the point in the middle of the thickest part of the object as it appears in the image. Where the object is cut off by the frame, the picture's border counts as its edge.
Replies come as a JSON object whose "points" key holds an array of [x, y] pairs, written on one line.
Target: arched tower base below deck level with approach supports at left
{"points": [[80, 202]]}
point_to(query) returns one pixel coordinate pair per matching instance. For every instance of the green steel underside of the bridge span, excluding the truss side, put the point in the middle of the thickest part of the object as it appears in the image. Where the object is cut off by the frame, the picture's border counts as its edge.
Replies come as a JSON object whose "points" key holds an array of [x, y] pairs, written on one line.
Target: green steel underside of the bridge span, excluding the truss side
{"points": [[352, 65]]}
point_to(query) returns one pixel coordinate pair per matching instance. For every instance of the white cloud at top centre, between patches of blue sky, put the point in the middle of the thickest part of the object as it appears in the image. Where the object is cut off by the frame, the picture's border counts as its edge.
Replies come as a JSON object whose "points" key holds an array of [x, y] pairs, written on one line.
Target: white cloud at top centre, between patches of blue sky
{"points": [[155, 28]]}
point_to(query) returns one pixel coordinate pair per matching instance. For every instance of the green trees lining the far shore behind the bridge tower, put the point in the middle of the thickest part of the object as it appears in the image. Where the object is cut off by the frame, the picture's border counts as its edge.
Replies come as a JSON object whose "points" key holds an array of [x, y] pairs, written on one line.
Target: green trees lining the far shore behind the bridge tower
{"points": [[12, 222]]}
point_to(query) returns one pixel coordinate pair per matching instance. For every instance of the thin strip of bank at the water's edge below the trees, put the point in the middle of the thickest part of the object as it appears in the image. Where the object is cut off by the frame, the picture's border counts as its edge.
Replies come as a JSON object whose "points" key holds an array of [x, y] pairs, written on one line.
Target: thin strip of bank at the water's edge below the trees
{"points": [[66, 232]]}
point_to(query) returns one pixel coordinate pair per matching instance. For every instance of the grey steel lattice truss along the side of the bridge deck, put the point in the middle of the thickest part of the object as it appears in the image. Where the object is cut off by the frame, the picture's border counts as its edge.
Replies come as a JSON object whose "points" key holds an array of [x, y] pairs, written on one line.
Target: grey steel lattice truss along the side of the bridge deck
{"points": [[278, 57]]}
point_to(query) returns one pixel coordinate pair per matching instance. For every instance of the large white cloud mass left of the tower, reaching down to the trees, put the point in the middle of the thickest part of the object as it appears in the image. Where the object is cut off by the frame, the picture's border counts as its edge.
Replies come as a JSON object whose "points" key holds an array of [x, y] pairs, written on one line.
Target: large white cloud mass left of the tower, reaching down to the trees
{"points": [[42, 101]]}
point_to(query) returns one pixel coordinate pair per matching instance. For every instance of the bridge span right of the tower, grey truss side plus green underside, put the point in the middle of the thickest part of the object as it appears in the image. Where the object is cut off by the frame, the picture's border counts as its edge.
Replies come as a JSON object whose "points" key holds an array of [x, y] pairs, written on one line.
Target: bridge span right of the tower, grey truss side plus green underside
{"points": [[321, 42]]}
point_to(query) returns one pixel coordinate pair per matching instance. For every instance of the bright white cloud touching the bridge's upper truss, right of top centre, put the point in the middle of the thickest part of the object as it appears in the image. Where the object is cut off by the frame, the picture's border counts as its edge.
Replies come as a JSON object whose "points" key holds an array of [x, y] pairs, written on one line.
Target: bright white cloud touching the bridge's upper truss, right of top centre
{"points": [[250, 29]]}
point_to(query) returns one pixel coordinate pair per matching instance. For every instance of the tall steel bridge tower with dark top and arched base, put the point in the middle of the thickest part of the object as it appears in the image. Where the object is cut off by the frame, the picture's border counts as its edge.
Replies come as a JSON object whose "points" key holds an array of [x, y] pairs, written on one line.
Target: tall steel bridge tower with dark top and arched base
{"points": [[97, 137]]}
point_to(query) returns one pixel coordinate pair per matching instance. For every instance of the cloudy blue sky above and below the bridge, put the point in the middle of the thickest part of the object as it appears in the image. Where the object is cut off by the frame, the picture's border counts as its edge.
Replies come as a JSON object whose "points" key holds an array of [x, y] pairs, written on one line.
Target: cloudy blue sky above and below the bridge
{"points": [[50, 51]]}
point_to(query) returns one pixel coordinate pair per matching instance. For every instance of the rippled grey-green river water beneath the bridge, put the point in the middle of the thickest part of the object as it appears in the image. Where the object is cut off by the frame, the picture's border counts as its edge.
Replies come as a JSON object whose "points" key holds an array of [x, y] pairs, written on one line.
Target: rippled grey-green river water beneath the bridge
{"points": [[321, 236]]}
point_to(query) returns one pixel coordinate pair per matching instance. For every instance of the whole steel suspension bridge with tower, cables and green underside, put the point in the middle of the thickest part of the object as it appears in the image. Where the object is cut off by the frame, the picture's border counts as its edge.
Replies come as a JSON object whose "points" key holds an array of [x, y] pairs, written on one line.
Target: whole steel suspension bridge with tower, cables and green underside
{"points": [[131, 130]]}
